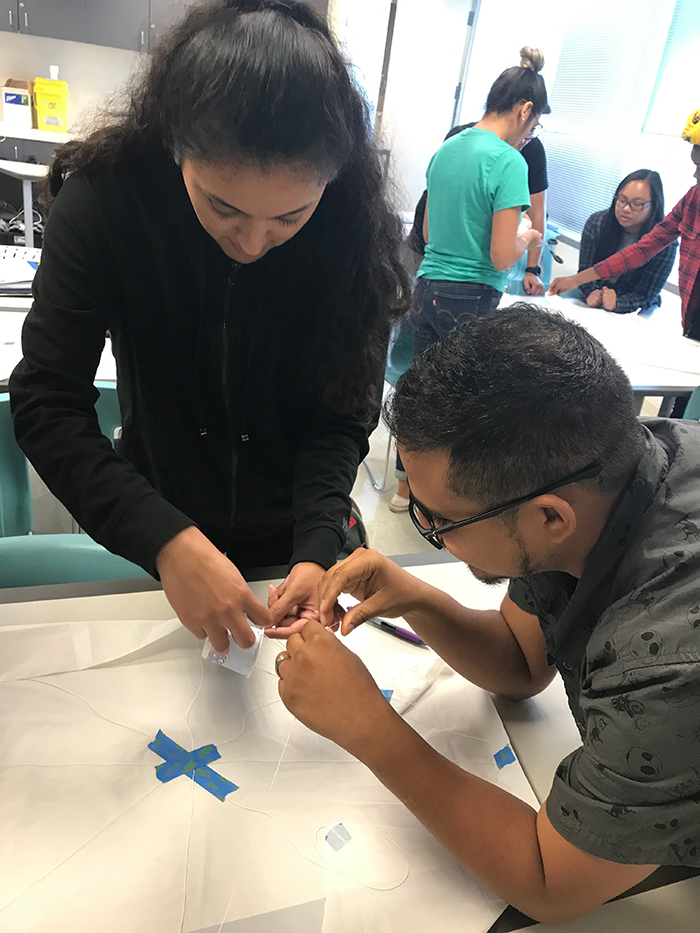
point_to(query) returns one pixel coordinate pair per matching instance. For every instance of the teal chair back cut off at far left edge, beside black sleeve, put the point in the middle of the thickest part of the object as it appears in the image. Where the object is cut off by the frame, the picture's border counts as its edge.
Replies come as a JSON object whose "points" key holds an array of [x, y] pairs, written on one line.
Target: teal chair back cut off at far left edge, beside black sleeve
{"points": [[16, 511]]}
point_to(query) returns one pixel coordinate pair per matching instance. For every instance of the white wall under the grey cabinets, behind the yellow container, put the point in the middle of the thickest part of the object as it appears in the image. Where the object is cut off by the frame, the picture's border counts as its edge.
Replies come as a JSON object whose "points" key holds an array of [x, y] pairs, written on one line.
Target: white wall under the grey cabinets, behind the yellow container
{"points": [[93, 72]]}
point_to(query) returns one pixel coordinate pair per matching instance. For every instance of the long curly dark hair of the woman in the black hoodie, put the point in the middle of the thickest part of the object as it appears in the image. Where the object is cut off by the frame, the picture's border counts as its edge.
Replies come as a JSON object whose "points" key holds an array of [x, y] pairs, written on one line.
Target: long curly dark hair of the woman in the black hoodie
{"points": [[262, 82]]}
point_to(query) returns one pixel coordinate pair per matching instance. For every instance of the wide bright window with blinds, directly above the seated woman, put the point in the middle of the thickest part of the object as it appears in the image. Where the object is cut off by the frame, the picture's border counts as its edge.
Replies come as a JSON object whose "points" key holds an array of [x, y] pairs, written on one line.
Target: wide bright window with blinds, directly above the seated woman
{"points": [[609, 62]]}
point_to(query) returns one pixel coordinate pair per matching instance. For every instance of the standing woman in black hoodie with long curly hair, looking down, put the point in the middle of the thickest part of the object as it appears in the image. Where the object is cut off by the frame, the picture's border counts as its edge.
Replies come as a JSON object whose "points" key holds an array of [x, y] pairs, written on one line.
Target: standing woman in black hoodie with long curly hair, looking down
{"points": [[231, 231]]}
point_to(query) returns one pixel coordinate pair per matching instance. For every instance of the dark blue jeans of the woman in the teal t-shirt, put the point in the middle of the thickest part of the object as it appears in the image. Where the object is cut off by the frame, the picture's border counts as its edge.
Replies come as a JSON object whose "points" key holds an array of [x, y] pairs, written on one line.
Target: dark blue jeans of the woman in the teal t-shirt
{"points": [[439, 306]]}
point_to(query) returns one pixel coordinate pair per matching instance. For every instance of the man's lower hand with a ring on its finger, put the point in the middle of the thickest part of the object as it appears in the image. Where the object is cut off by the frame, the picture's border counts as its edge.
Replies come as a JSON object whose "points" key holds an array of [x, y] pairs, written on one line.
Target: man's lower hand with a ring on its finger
{"points": [[329, 690]]}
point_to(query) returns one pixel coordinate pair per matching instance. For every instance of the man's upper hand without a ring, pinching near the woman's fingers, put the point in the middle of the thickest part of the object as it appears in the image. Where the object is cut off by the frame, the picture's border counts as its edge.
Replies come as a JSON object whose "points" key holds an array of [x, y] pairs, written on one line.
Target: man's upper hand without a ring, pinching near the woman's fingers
{"points": [[382, 587]]}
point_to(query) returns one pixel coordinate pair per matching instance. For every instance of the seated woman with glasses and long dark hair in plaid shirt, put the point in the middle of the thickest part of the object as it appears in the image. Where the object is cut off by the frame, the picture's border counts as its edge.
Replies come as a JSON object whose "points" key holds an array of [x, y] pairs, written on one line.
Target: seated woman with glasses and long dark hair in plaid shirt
{"points": [[637, 206]]}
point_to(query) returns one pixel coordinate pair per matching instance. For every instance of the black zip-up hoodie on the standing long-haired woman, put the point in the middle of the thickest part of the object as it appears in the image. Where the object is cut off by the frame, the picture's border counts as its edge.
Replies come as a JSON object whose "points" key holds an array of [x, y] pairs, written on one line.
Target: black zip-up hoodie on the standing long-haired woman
{"points": [[222, 423]]}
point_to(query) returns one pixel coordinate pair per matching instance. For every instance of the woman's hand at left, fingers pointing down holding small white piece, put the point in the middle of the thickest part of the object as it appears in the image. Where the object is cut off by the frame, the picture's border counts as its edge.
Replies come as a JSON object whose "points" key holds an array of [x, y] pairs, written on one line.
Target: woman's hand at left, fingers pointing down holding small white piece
{"points": [[207, 591]]}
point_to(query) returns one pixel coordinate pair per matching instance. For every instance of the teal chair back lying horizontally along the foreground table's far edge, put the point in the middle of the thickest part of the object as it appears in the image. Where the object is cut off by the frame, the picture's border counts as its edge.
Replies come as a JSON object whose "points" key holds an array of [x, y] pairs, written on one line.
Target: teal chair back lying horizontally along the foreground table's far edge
{"points": [[40, 560]]}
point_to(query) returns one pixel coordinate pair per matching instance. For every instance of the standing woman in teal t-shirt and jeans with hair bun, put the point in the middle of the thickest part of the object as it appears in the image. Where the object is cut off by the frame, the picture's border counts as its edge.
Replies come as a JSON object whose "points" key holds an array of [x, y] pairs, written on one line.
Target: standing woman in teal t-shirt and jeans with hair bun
{"points": [[477, 190]]}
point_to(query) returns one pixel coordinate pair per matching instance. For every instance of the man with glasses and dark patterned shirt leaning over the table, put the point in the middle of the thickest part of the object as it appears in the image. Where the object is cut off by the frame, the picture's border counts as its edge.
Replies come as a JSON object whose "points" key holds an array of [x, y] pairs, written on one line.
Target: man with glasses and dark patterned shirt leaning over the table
{"points": [[526, 461]]}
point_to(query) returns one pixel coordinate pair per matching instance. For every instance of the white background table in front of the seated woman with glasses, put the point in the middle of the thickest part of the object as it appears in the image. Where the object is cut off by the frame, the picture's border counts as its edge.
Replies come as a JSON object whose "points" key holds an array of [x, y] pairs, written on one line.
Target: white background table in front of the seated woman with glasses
{"points": [[657, 360]]}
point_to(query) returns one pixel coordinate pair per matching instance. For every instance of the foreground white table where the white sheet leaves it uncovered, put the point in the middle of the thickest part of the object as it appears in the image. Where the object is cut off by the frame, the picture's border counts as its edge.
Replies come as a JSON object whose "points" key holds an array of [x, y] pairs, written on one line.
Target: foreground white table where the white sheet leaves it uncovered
{"points": [[541, 731]]}
